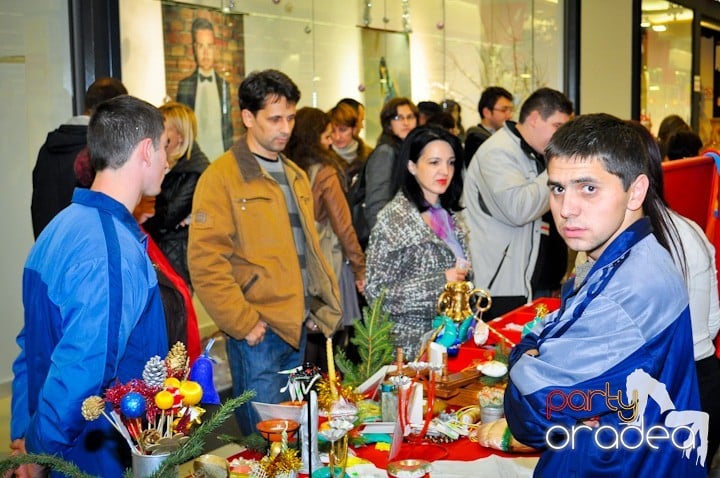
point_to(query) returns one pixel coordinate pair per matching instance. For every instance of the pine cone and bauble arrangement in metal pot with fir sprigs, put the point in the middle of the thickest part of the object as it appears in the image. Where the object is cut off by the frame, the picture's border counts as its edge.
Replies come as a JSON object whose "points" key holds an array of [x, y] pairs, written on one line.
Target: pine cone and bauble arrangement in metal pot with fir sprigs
{"points": [[153, 416]]}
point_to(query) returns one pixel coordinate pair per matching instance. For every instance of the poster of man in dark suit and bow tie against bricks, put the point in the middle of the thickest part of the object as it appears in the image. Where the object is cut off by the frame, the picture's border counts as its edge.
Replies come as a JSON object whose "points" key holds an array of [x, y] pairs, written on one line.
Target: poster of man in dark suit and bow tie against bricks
{"points": [[204, 66]]}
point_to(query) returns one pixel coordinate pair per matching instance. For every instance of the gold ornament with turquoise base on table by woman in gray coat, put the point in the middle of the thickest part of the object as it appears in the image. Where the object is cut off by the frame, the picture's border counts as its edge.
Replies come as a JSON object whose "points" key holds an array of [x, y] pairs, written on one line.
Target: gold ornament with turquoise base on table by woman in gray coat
{"points": [[456, 322]]}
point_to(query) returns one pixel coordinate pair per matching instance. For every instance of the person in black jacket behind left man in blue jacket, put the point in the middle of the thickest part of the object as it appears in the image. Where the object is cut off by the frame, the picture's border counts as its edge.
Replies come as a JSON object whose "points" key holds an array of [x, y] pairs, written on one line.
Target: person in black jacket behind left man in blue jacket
{"points": [[53, 175]]}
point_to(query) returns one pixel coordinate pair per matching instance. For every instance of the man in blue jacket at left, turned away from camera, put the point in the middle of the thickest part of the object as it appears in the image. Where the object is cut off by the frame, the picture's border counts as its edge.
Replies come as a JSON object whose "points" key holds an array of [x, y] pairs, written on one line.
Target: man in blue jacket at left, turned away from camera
{"points": [[93, 313]]}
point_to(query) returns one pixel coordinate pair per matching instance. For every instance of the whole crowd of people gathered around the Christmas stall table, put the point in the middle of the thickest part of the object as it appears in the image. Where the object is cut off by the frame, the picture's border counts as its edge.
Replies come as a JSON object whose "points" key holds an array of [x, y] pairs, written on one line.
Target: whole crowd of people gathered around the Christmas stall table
{"points": [[285, 235]]}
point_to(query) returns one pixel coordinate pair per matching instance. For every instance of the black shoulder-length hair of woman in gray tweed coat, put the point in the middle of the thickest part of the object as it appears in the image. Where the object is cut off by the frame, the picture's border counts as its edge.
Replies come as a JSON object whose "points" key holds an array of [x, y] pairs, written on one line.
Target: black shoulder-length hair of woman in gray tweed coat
{"points": [[411, 150]]}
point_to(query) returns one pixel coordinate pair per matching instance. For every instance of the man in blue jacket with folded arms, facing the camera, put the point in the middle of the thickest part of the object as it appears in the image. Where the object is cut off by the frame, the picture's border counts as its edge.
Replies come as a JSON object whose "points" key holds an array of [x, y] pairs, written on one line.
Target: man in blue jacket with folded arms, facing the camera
{"points": [[606, 386]]}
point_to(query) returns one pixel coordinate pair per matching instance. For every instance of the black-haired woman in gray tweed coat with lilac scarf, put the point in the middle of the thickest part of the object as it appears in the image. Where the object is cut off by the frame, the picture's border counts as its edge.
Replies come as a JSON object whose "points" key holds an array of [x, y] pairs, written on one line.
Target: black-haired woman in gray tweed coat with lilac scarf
{"points": [[417, 244]]}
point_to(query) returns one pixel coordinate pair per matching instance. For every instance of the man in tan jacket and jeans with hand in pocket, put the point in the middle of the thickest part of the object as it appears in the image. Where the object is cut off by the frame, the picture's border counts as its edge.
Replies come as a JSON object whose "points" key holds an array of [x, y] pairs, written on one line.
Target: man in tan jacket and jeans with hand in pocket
{"points": [[253, 250]]}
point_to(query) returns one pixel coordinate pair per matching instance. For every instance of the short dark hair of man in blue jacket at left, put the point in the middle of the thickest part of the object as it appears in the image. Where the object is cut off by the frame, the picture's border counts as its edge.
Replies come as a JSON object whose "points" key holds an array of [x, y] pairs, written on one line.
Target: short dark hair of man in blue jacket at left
{"points": [[116, 128]]}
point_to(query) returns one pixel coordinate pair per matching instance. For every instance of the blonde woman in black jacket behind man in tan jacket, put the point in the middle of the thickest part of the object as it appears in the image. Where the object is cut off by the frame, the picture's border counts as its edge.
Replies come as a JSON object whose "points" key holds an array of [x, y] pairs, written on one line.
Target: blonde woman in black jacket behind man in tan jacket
{"points": [[173, 205]]}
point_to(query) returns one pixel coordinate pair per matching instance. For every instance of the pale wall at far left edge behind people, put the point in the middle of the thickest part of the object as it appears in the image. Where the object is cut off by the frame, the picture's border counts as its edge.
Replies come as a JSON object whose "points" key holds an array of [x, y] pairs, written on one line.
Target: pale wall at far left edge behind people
{"points": [[36, 96]]}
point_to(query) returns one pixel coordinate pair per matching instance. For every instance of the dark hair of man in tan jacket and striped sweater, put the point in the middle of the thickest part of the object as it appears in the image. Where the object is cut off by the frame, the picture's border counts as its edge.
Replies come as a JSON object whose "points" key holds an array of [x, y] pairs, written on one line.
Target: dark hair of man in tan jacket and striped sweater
{"points": [[271, 85]]}
